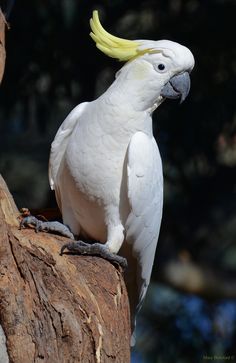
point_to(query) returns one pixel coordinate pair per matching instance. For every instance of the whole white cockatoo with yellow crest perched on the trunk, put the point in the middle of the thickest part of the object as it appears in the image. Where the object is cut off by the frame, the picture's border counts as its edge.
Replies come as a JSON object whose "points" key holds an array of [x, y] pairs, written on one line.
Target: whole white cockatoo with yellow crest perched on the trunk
{"points": [[105, 166]]}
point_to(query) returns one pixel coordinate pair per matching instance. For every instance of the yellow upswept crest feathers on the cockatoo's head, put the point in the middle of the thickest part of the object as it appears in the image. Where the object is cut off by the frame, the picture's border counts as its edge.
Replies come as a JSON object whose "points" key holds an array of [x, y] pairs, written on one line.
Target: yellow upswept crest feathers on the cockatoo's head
{"points": [[119, 48]]}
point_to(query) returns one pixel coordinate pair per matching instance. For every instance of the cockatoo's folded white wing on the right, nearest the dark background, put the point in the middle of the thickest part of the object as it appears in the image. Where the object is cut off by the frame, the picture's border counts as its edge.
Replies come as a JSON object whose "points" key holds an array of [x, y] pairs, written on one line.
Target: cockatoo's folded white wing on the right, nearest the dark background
{"points": [[145, 194]]}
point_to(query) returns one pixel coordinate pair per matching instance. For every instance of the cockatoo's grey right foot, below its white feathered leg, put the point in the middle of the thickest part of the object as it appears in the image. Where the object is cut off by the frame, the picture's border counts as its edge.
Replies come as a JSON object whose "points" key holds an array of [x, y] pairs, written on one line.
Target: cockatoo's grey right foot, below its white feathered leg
{"points": [[95, 249]]}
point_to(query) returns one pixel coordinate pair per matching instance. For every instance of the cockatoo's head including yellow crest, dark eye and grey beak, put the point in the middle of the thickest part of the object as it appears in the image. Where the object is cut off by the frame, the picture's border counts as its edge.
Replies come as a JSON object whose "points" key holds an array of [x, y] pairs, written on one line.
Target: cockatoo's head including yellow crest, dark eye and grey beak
{"points": [[161, 68]]}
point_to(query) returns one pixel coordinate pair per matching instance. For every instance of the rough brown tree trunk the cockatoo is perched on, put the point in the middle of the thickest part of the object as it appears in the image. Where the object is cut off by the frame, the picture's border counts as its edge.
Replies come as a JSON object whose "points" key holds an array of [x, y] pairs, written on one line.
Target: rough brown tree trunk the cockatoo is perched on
{"points": [[57, 308]]}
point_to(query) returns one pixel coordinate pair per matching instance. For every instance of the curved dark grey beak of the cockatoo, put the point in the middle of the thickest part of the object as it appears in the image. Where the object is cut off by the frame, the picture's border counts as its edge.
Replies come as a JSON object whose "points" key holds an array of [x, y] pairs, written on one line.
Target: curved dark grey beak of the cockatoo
{"points": [[177, 87]]}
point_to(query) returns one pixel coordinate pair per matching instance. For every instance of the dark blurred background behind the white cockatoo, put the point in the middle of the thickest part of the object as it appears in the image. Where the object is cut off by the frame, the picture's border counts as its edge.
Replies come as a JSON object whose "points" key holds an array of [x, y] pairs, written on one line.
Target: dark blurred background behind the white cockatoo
{"points": [[52, 65]]}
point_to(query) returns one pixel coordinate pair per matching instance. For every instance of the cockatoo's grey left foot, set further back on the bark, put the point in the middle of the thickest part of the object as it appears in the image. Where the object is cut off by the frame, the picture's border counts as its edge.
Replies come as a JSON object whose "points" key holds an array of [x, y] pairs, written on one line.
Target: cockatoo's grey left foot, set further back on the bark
{"points": [[54, 227]]}
